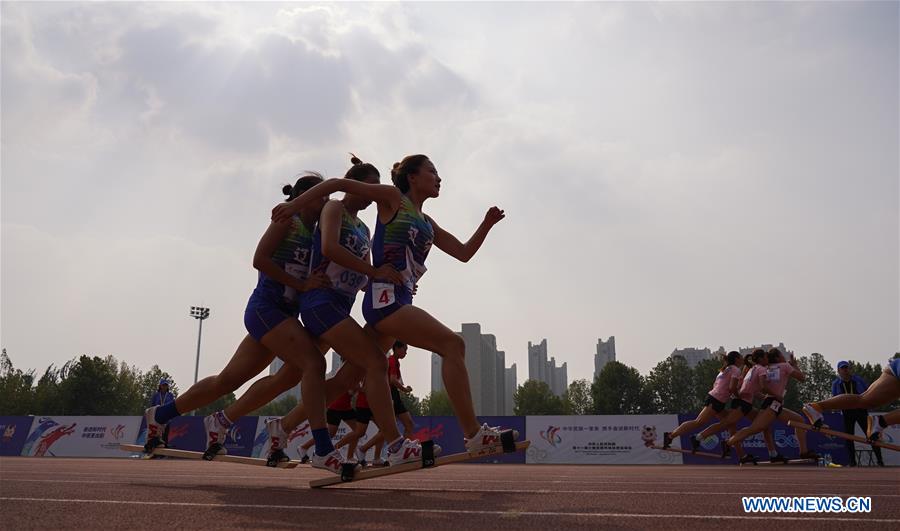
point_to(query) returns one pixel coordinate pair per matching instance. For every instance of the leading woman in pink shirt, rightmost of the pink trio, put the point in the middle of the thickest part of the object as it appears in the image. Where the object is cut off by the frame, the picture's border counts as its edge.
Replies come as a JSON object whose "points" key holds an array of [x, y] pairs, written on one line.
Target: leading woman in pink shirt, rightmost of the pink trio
{"points": [[773, 384]]}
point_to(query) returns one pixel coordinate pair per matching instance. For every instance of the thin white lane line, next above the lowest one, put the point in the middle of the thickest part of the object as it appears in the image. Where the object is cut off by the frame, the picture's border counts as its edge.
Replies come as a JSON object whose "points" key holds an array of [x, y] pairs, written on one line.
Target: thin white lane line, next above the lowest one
{"points": [[431, 488]]}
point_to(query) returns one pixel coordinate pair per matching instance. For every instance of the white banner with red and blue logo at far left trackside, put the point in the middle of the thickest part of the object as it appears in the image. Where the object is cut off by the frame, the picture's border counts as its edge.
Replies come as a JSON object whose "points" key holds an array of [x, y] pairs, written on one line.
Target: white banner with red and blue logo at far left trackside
{"points": [[80, 436]]}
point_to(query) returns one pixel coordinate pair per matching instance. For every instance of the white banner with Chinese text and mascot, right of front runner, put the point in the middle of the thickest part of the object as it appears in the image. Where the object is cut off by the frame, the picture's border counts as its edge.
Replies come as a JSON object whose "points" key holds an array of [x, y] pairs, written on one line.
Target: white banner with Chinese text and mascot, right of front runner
{"points": [[599, 439]]}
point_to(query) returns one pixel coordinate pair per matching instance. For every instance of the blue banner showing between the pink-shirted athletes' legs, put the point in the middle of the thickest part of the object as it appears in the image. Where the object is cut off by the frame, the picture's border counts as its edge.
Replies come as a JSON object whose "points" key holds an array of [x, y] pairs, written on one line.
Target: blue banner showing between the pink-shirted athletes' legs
{"points": [[783, 436]]}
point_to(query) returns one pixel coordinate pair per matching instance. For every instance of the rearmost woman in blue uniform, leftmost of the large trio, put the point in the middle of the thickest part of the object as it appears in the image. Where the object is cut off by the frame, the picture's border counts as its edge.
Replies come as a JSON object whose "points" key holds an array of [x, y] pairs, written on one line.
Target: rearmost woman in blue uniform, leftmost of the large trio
{"points": [[282, 258]]}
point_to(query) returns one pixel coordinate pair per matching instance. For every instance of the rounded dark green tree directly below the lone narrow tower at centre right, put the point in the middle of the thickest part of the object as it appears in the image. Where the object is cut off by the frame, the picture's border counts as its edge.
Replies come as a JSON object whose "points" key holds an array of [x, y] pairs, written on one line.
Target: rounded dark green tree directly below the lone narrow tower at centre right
{"points": [[619, 390]]}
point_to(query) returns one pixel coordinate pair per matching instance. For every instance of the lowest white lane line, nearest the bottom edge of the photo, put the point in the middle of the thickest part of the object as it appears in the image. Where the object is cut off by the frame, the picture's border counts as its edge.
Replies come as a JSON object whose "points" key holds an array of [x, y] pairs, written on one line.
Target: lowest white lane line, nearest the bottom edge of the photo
{"points": [[456, 511]]}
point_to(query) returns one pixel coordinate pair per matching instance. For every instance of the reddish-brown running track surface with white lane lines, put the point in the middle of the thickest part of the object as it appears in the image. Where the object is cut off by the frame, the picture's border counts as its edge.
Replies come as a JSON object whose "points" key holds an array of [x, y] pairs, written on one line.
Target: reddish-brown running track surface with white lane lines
{"points": [[168, 493]]}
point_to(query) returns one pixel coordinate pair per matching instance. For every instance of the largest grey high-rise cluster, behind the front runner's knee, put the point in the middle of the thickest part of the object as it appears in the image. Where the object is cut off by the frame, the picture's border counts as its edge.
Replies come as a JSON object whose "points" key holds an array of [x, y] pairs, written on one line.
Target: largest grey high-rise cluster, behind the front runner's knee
{"points": [[485, 365]]}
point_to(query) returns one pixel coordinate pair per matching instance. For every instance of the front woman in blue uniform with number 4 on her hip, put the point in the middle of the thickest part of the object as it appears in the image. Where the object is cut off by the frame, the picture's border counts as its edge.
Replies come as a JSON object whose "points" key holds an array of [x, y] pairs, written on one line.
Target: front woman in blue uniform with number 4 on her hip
{"points": [[404, 235]]}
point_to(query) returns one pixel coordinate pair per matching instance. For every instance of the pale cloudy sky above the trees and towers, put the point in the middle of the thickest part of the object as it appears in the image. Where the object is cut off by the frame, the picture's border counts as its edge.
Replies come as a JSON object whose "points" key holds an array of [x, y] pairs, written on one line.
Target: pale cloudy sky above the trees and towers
{"points": [[675, 175]]}
